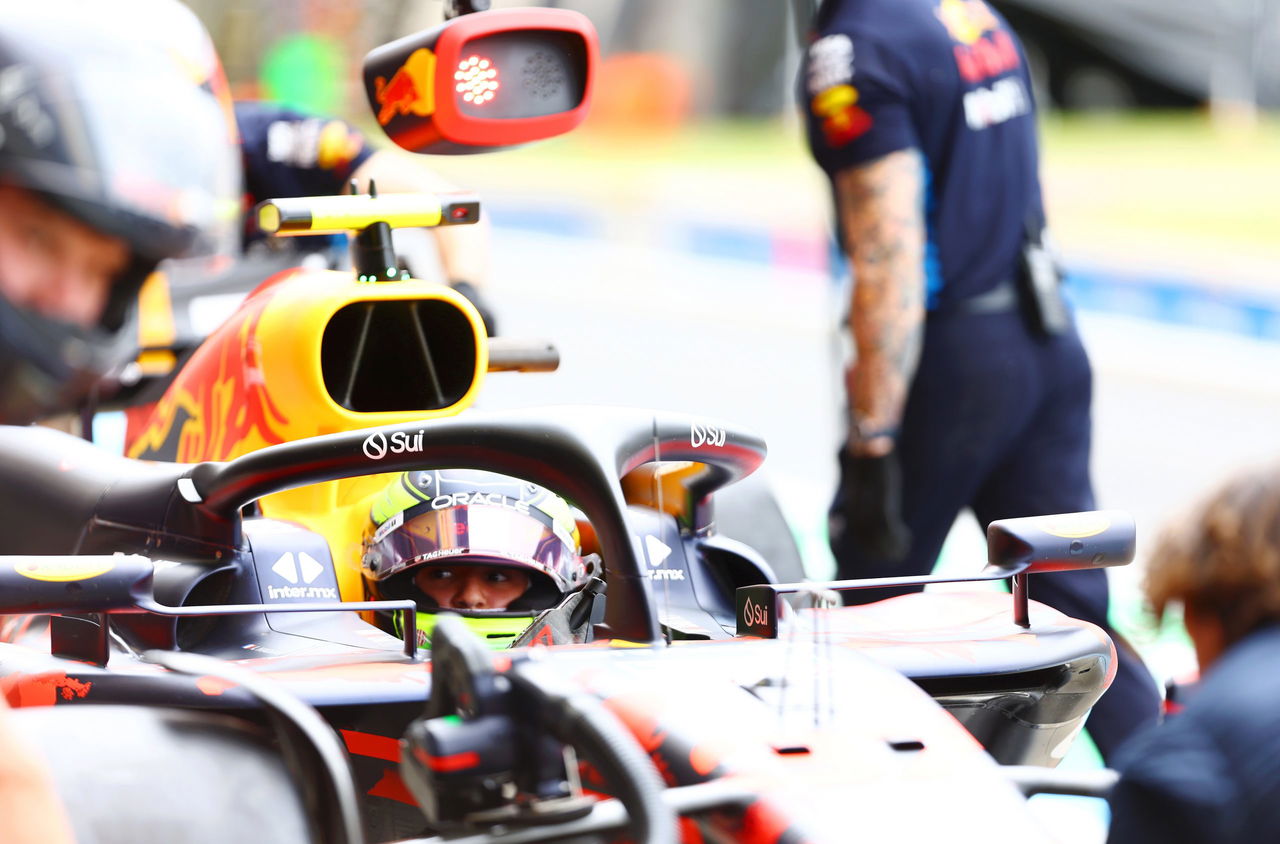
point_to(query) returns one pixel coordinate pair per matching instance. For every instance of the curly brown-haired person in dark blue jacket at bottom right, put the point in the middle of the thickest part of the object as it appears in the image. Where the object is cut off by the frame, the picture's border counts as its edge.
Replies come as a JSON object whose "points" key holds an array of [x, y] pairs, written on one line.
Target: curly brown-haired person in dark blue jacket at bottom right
{"points": [[1212, 773]]}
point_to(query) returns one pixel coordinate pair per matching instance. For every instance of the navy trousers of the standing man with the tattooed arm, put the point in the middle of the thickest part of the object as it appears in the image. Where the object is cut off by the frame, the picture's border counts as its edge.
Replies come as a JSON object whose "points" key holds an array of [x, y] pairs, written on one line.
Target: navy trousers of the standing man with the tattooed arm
{"points": [[999, 422]]}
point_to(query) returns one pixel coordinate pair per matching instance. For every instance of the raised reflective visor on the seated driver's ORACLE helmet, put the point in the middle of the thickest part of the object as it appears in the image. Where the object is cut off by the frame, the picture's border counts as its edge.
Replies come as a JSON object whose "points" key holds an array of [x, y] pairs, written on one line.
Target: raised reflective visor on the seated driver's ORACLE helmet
{"points": [[486, 533]]}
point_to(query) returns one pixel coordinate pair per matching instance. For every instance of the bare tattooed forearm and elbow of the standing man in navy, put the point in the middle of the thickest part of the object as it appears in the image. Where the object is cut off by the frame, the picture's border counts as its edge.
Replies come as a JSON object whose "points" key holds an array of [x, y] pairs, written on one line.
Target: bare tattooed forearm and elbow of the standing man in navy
{"points": [[883, 218]]}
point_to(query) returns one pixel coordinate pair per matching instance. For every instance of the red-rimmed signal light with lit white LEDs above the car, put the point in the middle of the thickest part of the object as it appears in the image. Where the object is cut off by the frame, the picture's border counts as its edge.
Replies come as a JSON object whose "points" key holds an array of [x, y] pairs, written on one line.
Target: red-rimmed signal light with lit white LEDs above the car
{"points": [[484, 81]]}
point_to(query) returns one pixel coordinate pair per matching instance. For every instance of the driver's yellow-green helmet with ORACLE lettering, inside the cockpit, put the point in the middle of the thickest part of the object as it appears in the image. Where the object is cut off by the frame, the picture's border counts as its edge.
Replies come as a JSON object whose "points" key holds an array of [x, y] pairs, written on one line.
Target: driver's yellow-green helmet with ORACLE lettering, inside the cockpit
{"points": [[491, 549]]}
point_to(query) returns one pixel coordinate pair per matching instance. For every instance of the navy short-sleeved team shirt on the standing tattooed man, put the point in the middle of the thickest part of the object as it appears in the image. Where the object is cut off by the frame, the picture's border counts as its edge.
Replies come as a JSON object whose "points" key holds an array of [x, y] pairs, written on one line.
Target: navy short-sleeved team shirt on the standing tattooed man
{"points": [[947, 77]]}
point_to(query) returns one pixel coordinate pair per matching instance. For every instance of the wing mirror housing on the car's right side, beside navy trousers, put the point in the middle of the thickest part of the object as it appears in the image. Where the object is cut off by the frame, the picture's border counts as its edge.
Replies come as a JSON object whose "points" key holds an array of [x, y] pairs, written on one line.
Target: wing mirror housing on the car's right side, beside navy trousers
{"points": [[1064, 542]]}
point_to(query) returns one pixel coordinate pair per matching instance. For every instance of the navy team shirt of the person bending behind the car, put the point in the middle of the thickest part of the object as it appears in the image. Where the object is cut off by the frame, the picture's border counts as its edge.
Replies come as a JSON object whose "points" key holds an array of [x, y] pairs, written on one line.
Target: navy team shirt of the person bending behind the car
{"points": [[287, 153]]}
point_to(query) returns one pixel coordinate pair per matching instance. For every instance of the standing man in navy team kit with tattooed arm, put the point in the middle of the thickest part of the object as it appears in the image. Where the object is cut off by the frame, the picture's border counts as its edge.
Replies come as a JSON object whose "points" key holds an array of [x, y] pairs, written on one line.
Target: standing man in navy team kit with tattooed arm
{"points": [[971, 387]]}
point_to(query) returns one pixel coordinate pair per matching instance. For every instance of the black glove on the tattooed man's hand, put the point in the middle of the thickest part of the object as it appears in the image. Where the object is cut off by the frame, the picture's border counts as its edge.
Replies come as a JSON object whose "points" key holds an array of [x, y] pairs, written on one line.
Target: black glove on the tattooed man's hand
{"points": [[871, 505]]}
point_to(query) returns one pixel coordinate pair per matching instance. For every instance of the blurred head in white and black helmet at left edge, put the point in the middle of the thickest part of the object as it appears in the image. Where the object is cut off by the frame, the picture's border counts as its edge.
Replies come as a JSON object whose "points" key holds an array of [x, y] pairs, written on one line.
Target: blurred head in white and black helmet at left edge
{"points": [[115, 154]]}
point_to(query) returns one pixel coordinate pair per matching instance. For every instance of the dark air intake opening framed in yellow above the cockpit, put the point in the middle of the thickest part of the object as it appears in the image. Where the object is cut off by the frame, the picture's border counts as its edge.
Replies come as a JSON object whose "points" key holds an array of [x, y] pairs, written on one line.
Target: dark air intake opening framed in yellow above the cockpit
{"points": [[401, 355]]}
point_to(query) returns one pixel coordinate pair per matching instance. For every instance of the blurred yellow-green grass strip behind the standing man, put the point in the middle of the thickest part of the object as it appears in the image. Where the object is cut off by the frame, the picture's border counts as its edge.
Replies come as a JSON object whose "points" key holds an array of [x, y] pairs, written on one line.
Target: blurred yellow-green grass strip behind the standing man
{"points": [[1148, 180]]}
